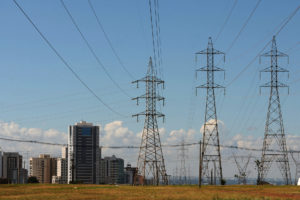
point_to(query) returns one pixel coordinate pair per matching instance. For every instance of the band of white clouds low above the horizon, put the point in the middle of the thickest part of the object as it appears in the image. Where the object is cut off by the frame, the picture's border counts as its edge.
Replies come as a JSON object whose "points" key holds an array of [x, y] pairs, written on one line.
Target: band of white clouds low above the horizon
{"points": [[116, 134]]}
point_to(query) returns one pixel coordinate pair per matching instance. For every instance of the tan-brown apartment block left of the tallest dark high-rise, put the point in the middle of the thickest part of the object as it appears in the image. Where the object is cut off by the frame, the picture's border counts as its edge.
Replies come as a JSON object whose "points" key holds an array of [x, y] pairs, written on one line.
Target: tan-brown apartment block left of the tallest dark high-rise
{"points": [[43, 167]]}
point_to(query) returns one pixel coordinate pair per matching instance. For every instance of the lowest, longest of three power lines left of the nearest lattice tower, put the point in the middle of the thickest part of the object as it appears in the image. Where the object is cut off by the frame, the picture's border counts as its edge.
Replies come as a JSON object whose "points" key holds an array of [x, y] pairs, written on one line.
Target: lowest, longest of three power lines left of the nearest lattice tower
{"points": [[65, 62]]}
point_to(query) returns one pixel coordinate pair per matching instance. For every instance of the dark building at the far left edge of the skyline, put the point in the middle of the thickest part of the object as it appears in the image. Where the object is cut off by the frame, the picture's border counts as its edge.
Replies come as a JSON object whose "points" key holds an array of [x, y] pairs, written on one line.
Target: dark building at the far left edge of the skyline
{"points": [[12, 168]]}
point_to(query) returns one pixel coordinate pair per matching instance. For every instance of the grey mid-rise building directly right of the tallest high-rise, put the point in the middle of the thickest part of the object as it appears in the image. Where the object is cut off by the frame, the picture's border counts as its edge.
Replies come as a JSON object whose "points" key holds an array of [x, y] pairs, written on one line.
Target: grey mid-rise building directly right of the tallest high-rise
{"points": [[112, 170]]}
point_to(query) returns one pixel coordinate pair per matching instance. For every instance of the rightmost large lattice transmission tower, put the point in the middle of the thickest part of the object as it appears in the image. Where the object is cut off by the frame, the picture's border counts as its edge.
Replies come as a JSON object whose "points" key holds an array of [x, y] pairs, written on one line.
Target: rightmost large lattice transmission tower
{"points": [[274, 137]]}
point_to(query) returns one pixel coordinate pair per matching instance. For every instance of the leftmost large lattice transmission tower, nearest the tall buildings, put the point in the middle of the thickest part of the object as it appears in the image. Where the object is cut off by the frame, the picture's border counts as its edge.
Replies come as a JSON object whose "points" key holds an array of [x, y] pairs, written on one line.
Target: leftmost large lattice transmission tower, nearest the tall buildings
{"points": [[151, 166]]}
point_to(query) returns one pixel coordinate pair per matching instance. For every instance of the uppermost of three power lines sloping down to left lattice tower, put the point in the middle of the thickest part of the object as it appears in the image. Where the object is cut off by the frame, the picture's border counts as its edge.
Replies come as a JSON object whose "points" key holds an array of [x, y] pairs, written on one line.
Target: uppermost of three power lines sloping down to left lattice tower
{"points": [[108, 40]]}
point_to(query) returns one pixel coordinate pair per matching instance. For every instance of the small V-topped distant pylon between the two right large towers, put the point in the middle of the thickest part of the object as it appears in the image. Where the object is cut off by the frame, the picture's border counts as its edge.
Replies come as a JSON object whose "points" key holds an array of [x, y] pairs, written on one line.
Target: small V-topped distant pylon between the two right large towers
{"points": [[242, 163]]}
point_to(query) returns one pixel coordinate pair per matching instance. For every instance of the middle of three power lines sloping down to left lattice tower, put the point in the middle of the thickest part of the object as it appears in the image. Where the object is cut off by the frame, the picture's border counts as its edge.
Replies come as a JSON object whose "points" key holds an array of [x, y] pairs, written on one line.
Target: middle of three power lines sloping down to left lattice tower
{"points": [[92, 50]]}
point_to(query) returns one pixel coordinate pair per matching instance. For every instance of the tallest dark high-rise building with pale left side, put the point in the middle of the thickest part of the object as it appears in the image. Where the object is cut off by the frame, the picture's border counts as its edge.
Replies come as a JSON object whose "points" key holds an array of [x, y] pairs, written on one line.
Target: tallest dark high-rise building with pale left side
{"points": [[83, 153]]}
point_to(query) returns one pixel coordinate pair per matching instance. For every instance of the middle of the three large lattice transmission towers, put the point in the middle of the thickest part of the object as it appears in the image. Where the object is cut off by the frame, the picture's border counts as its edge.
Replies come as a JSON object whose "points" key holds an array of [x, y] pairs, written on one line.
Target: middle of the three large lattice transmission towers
{"points": [[210, 157]]}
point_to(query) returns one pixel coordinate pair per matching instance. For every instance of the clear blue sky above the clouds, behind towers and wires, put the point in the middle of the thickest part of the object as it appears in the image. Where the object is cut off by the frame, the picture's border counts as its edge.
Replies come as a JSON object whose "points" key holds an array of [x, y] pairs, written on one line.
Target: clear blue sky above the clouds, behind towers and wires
{"points": [[38, 91]]}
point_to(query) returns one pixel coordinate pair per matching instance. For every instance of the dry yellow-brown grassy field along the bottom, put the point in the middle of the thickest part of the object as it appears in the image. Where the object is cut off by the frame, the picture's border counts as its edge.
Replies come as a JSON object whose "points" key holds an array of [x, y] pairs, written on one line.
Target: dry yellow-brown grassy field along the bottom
{"points": [[111, 192]]}
